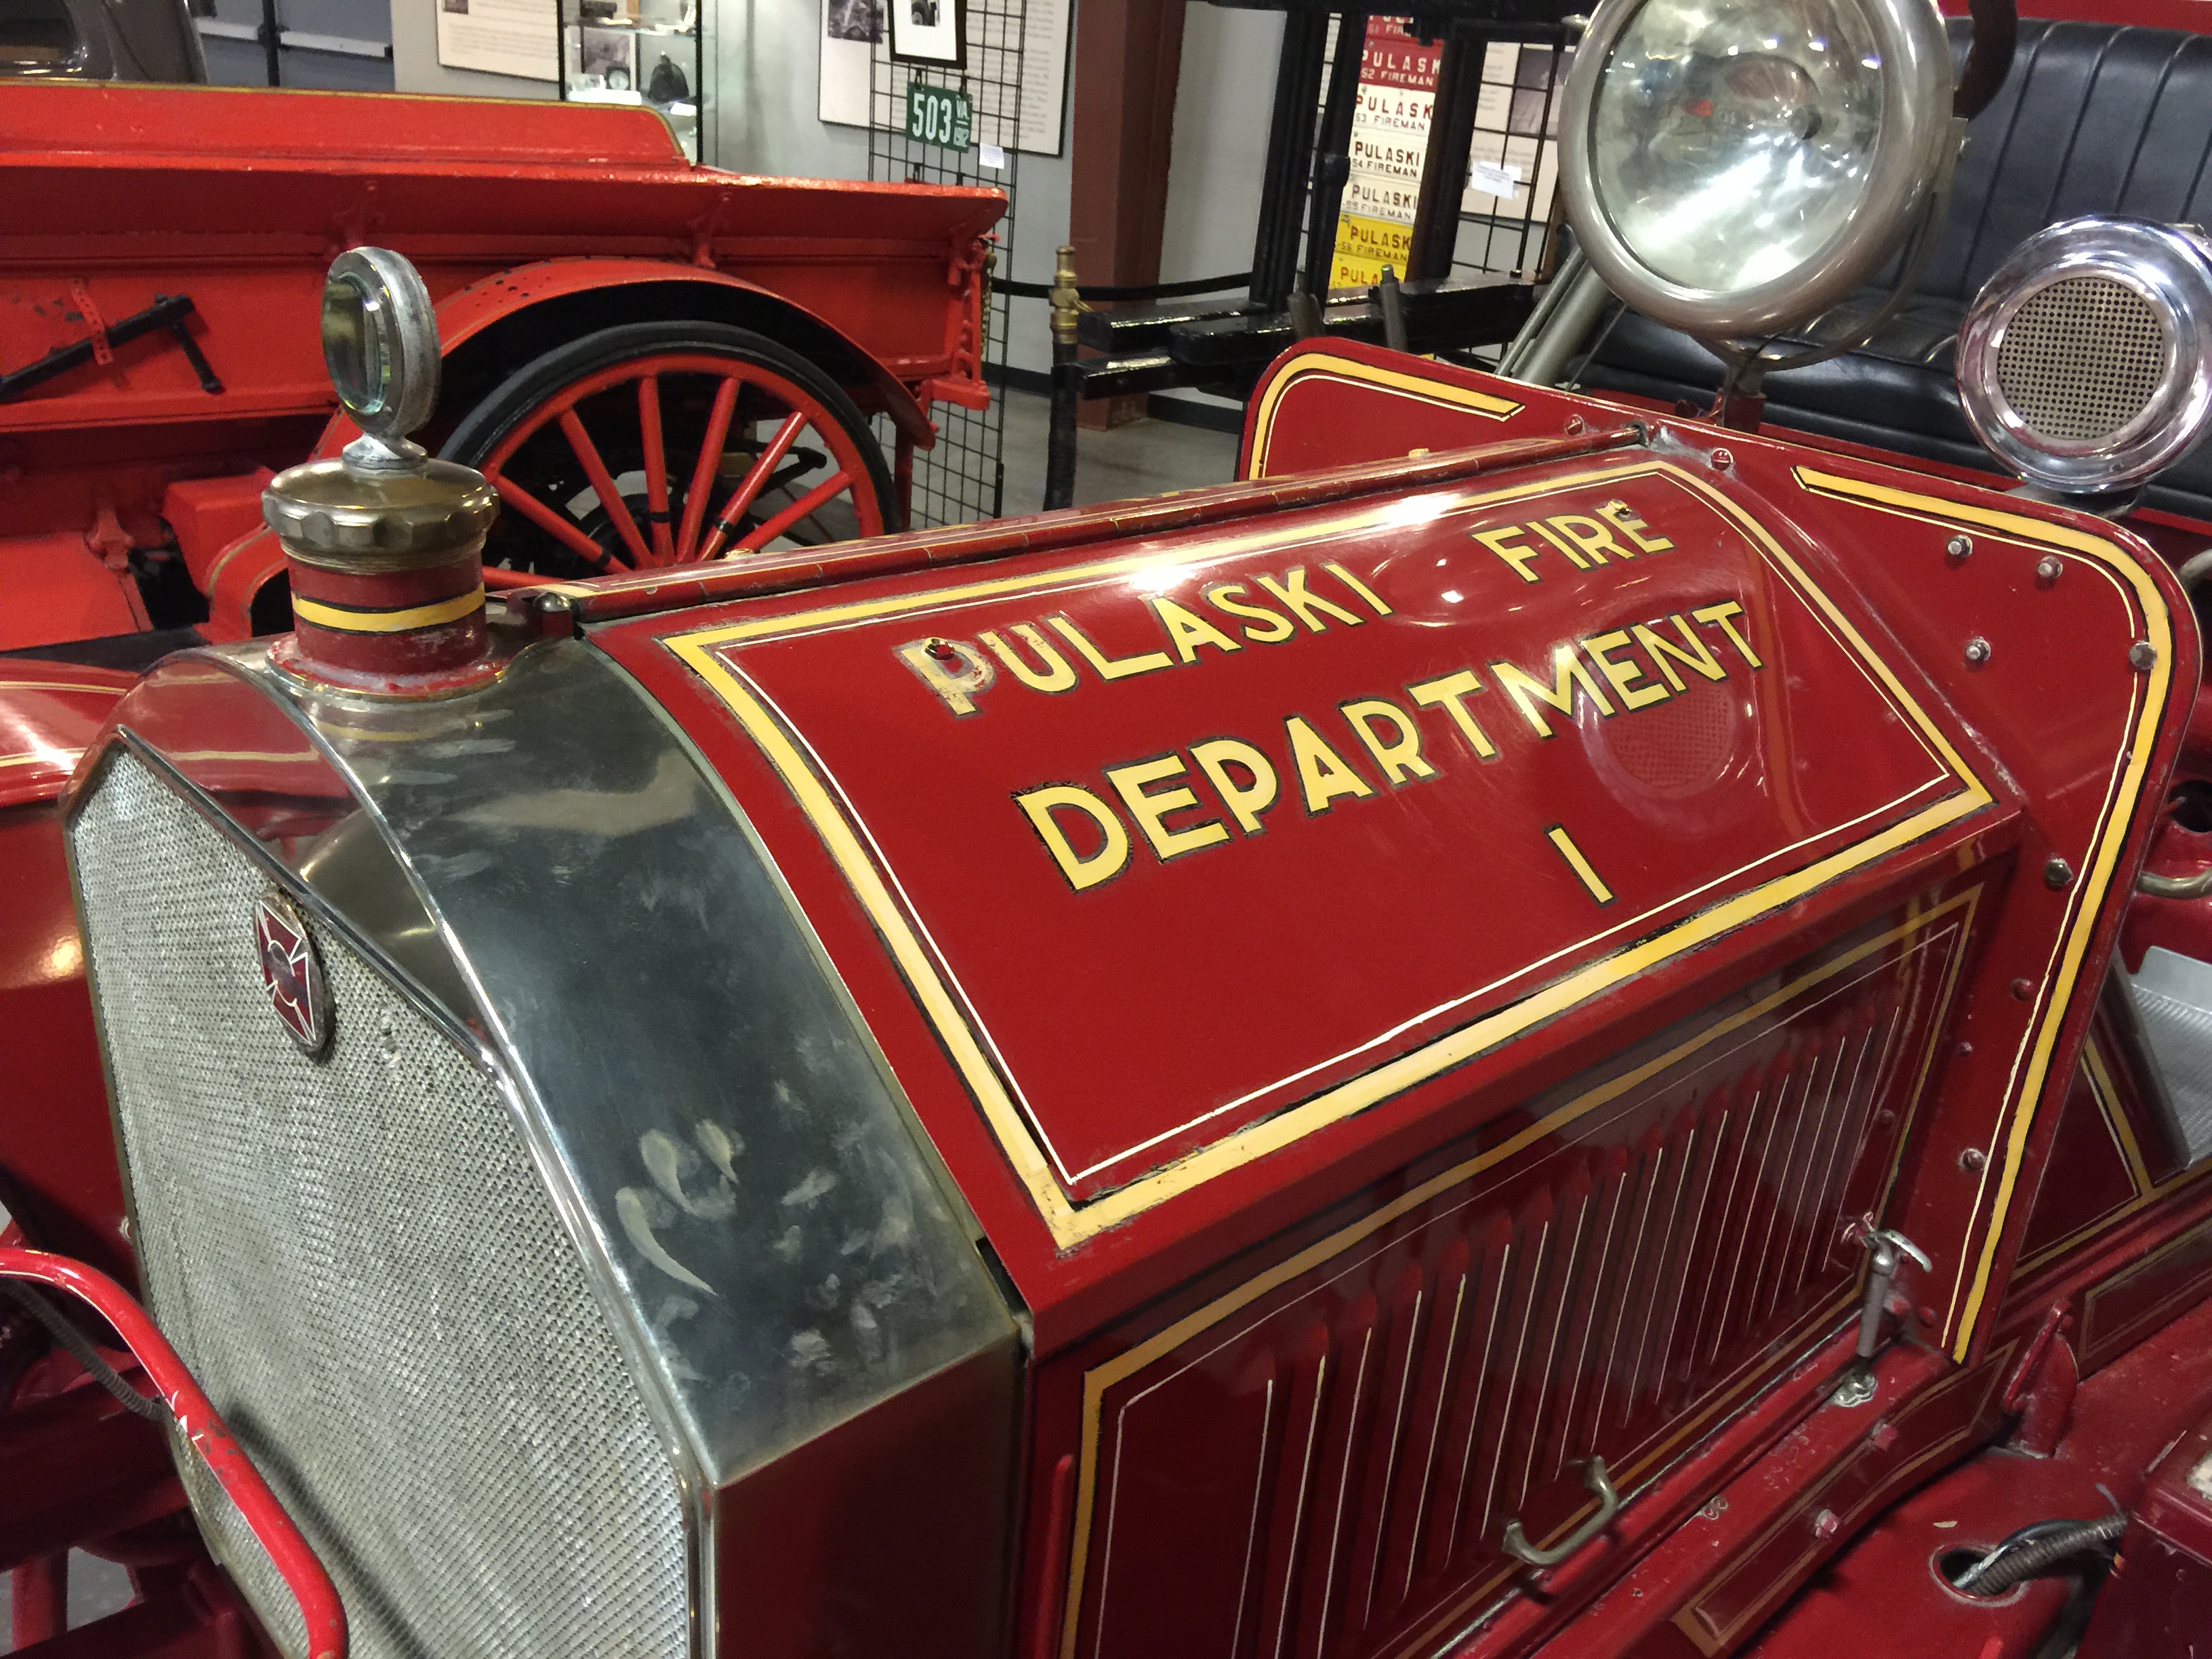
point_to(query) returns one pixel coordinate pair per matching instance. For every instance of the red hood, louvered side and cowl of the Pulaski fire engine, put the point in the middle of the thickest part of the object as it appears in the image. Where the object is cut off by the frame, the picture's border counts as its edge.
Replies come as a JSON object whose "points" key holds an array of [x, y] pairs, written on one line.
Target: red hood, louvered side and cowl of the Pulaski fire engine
{"points": [[1246, 1364]]}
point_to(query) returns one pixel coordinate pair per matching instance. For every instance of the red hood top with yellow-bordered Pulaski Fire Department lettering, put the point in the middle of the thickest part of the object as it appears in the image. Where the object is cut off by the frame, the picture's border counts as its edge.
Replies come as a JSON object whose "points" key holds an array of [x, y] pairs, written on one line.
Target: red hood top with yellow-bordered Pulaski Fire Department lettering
{"points": [[1202, 853]]}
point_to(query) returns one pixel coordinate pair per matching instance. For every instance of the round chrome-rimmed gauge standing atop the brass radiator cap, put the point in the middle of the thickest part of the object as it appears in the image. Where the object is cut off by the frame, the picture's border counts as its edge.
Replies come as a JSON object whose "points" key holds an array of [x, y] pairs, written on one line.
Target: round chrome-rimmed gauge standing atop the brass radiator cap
{"points": [[382, 342]]}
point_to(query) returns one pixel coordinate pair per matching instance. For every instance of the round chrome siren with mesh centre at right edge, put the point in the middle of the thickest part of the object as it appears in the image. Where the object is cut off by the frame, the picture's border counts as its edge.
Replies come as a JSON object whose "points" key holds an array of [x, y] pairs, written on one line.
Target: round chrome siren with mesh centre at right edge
{"points": [[2087, 359]]}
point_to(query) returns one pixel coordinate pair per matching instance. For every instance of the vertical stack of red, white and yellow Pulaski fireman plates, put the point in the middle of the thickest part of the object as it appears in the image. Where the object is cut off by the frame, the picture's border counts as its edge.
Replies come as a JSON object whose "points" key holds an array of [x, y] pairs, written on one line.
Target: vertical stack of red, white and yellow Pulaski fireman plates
{"points": [[1390, 140]]}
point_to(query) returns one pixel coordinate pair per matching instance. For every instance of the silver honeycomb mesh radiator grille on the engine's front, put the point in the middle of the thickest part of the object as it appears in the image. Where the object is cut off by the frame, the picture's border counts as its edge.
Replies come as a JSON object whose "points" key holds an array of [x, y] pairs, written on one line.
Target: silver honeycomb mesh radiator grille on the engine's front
{"points": [[364, 1271]]}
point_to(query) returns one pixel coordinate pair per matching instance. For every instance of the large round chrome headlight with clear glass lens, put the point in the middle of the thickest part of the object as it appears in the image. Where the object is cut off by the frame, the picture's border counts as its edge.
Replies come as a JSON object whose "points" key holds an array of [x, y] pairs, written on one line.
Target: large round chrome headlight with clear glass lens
{"points": [[1733, 167]]}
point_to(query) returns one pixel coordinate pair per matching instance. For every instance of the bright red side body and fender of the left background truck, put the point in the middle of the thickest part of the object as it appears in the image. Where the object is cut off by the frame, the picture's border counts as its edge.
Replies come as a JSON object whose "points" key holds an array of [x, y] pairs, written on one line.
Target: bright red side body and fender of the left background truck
{"points": [[114, 196]]}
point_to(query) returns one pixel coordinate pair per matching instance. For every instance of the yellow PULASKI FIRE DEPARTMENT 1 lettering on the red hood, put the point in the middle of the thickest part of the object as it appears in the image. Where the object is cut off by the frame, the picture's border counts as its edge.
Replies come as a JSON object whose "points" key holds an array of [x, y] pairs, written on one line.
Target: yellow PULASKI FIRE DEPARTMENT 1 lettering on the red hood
{"points": [[1178, 802]]}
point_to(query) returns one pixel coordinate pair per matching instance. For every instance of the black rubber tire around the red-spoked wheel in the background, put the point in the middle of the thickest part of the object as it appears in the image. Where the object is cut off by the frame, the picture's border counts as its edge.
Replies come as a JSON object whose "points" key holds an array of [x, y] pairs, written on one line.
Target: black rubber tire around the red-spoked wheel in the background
{"points": [[481, 430]]}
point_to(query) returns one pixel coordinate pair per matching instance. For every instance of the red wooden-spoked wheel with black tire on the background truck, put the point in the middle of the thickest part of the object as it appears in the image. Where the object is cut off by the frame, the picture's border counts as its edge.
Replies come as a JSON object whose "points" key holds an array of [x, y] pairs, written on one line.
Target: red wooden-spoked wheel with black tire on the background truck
{"points": [[669, 444]]}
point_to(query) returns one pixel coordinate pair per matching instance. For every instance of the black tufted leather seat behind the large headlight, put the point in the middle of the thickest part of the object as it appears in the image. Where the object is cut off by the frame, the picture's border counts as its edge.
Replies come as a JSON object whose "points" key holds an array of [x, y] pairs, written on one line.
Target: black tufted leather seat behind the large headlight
{"points": [[2094, 118]]}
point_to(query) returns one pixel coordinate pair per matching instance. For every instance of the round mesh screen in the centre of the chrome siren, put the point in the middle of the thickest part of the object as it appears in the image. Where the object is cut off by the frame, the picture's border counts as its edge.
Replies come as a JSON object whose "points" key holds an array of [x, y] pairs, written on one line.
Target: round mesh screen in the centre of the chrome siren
{"points": [[2083, 357]]}
